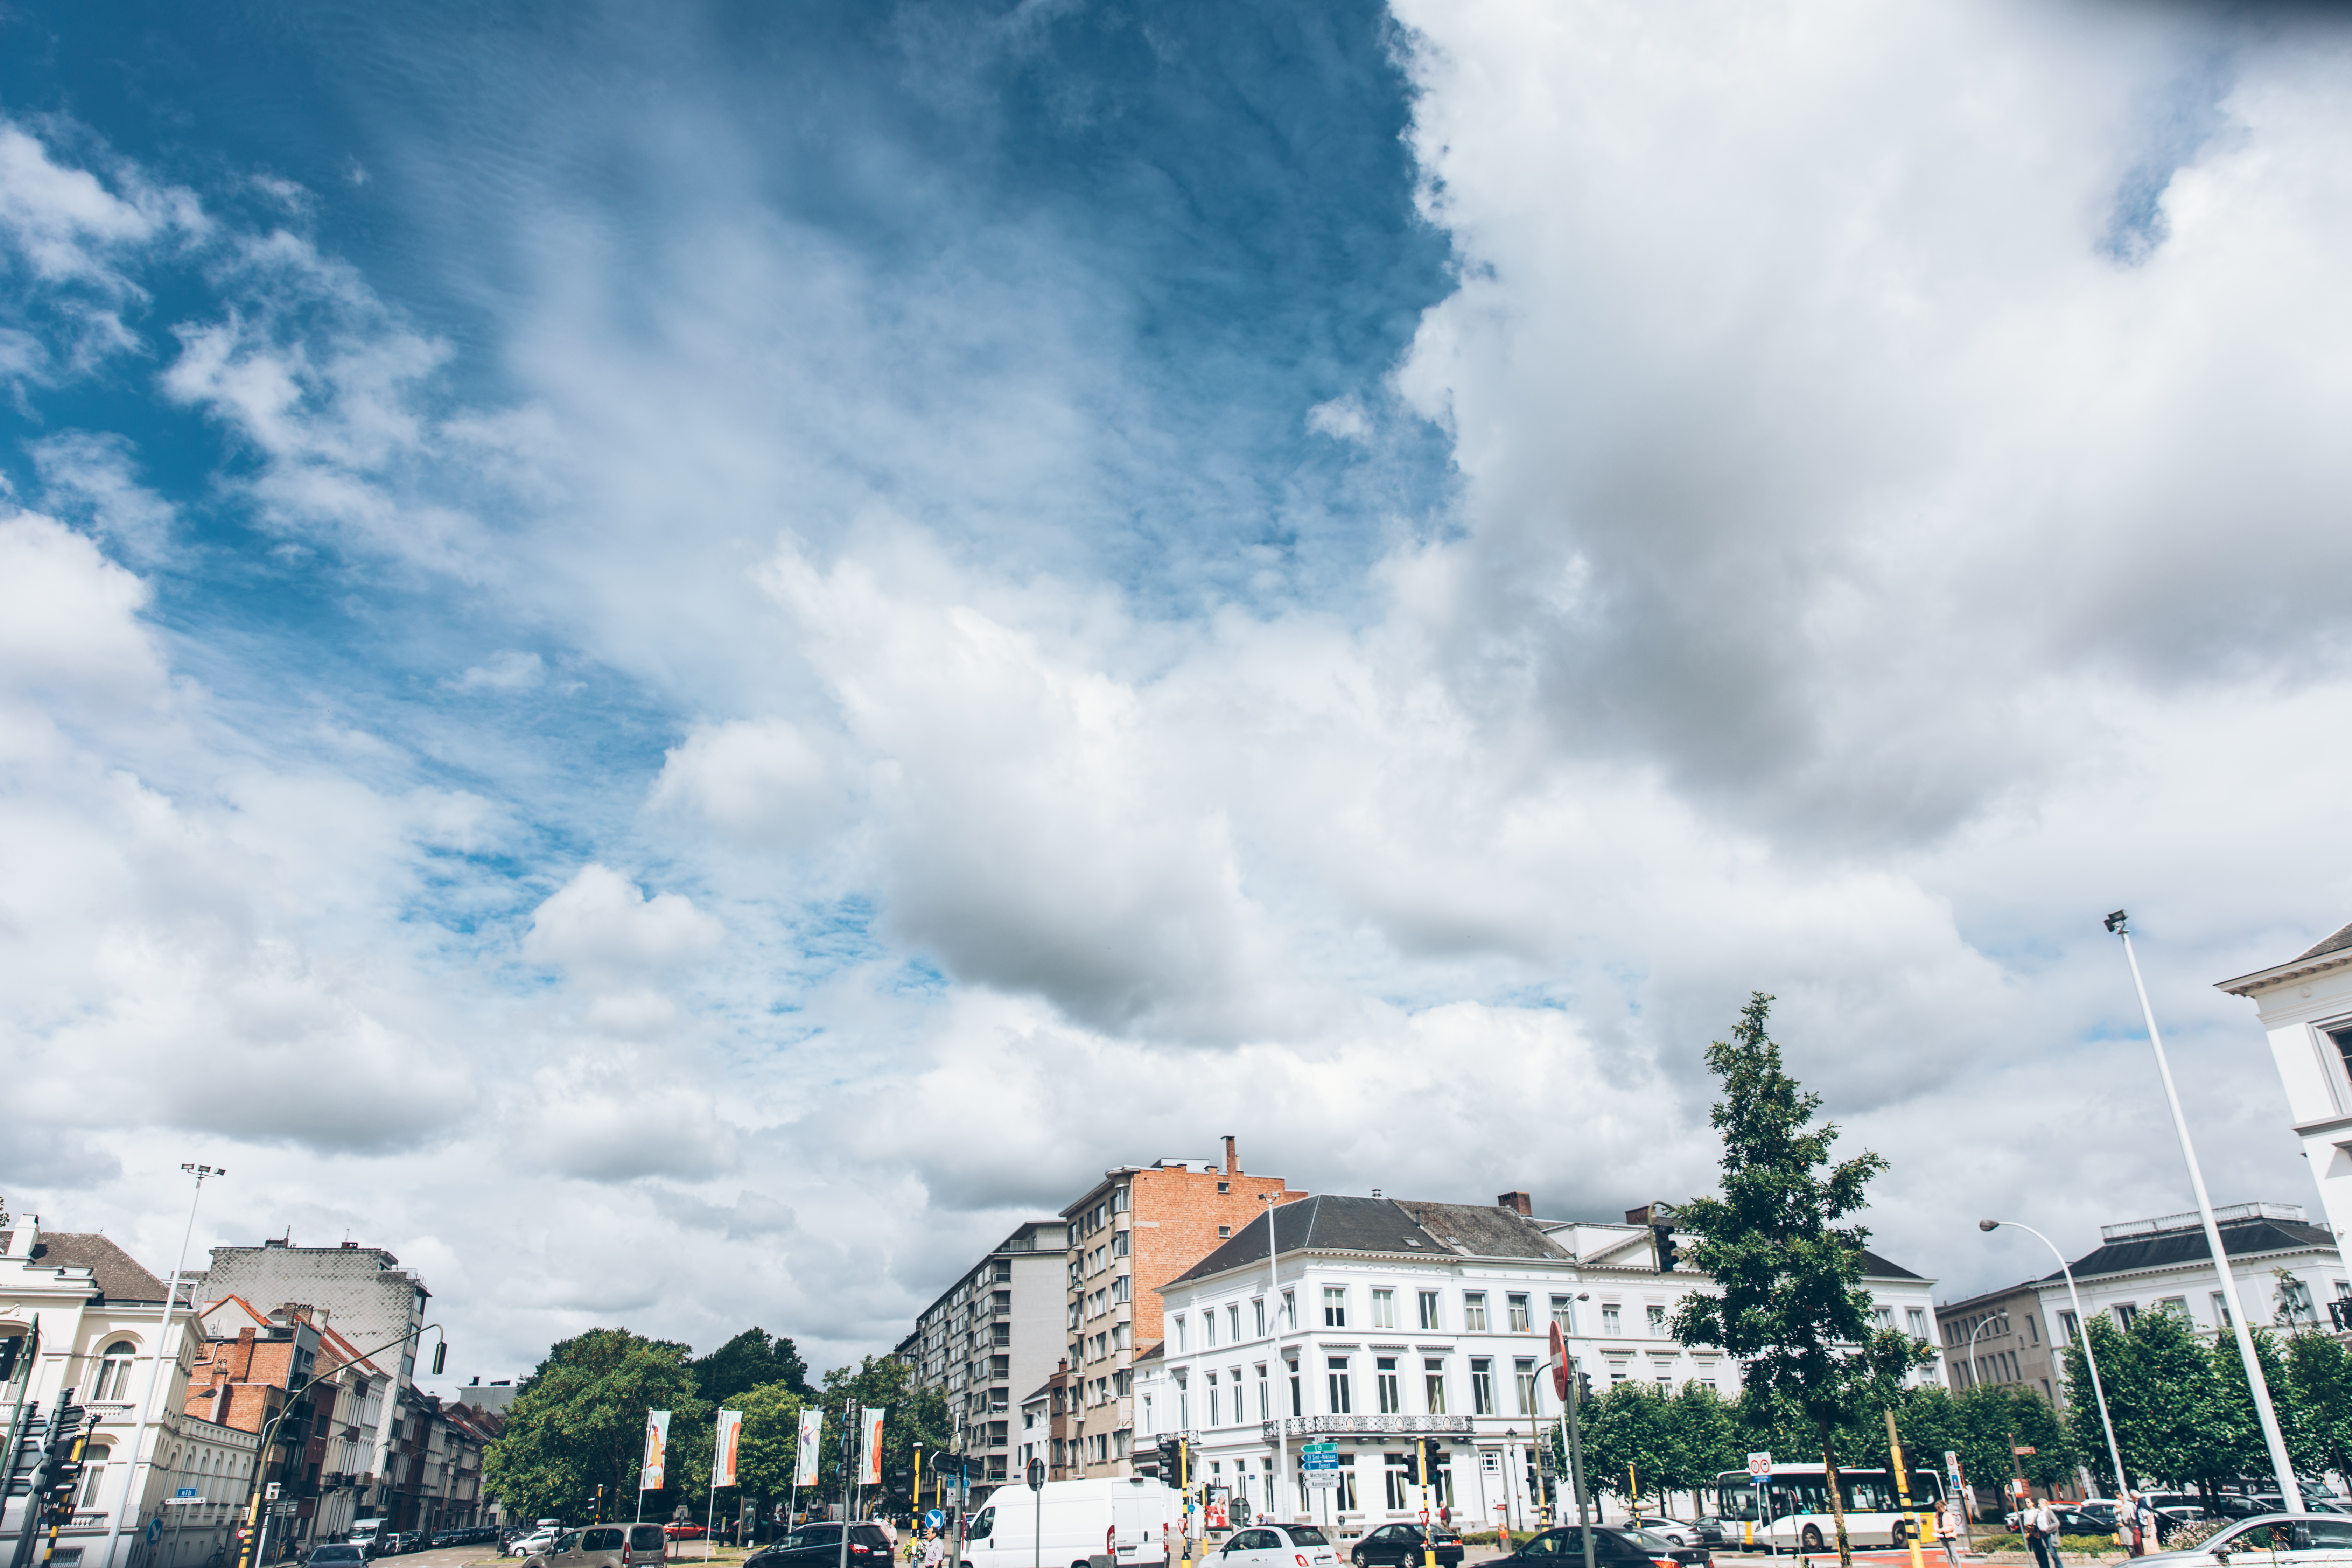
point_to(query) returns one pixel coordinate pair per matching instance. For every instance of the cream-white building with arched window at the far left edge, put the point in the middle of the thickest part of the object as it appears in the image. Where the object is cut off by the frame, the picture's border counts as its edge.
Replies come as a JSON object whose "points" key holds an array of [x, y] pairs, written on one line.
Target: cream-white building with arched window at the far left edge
{"points": [[100, 1318]]}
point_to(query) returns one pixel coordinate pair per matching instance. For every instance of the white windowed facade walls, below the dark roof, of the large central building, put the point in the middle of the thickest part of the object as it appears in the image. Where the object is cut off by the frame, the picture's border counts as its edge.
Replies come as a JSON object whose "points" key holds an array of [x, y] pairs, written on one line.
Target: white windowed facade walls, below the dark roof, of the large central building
{"points": [[1234, 1391]]}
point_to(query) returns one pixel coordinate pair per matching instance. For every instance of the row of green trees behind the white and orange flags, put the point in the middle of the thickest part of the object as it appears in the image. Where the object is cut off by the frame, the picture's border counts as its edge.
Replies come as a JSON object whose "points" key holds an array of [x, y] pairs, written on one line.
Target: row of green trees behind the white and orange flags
{"points": [[577, 1423]]}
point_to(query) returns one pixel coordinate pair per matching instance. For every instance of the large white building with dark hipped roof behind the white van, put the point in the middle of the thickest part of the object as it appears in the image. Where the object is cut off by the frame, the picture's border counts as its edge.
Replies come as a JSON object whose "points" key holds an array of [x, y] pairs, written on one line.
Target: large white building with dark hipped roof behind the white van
{"points": [[1387, 1320]]}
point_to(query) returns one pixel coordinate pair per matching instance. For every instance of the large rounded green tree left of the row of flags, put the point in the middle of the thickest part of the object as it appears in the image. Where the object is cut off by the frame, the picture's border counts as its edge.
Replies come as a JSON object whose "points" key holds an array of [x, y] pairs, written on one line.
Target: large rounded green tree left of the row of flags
{"points": [[580, 1423]]}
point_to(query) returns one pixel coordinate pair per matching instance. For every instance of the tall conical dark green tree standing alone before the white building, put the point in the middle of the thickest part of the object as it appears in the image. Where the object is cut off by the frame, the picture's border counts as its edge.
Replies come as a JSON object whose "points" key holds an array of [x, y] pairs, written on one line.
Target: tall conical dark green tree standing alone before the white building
{"points": [[1789, 1273]]}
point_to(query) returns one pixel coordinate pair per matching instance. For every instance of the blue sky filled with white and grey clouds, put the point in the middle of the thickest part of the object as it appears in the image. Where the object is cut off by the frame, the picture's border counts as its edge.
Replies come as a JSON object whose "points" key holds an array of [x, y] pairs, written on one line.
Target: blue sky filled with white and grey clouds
{"points": [[683, 659]]}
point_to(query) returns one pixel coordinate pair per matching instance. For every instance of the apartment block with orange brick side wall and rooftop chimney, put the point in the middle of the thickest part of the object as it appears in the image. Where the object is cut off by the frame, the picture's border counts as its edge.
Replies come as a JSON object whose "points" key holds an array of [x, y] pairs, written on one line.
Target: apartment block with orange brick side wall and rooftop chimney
{"points": [[1132, 1233]]}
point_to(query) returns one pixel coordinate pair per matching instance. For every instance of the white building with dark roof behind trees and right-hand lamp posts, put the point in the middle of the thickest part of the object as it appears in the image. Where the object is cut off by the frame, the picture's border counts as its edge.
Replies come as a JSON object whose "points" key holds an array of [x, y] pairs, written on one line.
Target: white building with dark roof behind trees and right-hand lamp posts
{"points": [[2285, 1268]]}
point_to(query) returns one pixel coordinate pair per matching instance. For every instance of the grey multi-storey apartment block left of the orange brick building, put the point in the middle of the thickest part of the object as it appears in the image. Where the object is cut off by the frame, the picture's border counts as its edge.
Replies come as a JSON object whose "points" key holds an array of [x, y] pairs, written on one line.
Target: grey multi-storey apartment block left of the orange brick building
{"points": [[994, 1332]]}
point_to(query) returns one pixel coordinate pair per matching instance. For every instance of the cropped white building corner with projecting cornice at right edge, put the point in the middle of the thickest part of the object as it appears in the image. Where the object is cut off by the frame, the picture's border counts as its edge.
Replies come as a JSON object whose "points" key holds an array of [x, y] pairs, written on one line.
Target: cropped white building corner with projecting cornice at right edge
{"points": [[2308, 1010]]}
